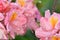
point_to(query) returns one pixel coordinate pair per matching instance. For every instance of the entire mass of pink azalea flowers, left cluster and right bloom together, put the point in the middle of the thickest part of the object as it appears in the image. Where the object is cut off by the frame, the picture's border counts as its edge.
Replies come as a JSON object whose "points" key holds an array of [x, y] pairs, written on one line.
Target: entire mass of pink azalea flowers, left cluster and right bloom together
{"points": [[17, 17]]}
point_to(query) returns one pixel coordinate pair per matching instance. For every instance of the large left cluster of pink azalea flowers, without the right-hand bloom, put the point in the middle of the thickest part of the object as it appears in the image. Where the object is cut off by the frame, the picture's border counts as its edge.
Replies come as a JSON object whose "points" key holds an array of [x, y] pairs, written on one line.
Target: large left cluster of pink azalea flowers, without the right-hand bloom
{"points": [[17, 17]]}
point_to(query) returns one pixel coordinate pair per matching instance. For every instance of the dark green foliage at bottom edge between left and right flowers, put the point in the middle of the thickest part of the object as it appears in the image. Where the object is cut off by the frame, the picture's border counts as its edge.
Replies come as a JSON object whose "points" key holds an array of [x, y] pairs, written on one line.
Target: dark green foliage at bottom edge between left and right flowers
{"points": [[28, 36]]}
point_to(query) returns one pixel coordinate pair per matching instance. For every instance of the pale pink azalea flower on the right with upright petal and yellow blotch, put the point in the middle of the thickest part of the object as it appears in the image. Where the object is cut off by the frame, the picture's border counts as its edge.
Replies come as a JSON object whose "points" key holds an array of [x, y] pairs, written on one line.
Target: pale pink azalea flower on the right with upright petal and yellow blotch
{"points": [[49, 25]]}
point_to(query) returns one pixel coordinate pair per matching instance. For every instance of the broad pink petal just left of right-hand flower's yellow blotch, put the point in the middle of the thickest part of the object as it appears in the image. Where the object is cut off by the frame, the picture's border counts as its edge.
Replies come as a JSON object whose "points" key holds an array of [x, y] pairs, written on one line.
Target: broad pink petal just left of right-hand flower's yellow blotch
{"points": [[44, 23]]}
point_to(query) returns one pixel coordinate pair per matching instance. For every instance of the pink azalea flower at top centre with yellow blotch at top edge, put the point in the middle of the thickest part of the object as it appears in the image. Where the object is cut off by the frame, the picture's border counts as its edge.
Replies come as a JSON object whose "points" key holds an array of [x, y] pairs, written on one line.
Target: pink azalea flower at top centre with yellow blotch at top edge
{"points": [[31, 12]]}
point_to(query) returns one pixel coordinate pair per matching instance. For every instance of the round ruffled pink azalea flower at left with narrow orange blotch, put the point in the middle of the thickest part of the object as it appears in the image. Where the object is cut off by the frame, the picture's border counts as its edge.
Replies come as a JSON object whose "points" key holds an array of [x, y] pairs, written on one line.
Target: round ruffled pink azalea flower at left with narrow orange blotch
{"points": [[15, 22]]}
